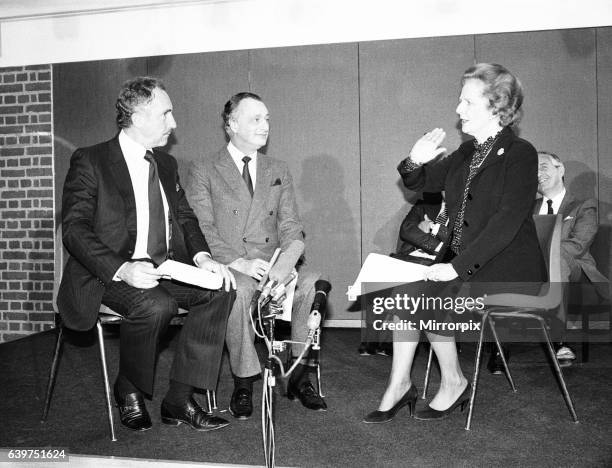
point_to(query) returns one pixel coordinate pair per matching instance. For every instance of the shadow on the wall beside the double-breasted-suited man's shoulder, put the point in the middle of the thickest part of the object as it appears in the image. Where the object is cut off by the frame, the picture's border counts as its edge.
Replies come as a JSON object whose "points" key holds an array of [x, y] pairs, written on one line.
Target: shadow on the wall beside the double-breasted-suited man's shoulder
{"points": [[332, 241]]}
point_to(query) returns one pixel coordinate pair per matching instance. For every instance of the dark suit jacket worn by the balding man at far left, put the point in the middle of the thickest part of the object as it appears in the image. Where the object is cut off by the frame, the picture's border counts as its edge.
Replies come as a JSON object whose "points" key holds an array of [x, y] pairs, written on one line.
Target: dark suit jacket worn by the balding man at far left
{"points": [[99, 226]]}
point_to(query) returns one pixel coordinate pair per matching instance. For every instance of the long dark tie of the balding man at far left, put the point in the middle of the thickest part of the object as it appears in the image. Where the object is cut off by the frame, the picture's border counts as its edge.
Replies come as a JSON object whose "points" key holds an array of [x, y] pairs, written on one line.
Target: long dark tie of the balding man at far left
{"points": [[156, 242]]}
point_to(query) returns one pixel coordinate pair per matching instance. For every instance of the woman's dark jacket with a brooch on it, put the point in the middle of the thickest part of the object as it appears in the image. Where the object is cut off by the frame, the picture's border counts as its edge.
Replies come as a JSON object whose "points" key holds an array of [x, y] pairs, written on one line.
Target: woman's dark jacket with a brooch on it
{"points": [[499, 240]]}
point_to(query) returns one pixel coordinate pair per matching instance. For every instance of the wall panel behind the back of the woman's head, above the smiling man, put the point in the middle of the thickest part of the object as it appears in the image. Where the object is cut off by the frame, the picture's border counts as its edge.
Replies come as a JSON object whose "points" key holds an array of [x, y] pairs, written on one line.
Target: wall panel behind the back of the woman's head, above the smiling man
{"points": [[557, 69]]}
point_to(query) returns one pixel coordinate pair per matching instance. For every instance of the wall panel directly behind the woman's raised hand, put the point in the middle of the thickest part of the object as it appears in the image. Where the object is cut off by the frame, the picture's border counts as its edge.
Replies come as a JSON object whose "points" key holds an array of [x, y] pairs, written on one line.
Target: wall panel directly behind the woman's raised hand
{"points": [[407, 88]]}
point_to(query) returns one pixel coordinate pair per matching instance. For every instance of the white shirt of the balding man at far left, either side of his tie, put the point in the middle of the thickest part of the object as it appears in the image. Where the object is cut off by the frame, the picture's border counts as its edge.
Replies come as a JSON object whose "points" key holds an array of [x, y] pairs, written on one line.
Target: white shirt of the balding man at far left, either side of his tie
{"points": [[134, 154]]}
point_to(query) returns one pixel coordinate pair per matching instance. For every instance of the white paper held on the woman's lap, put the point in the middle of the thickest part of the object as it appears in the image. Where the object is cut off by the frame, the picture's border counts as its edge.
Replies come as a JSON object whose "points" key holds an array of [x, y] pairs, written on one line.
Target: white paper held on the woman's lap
{"points": [[379, 268]]}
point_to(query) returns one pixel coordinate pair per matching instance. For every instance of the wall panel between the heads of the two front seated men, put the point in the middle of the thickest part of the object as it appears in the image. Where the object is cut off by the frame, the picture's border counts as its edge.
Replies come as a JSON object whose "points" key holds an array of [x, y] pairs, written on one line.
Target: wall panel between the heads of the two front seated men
{"points": [[199, 85]]}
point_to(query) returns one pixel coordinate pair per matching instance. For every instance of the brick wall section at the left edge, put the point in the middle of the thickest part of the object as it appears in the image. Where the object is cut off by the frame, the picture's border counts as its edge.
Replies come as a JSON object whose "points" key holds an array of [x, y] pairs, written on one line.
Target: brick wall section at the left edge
{"points": [[26, 201]]}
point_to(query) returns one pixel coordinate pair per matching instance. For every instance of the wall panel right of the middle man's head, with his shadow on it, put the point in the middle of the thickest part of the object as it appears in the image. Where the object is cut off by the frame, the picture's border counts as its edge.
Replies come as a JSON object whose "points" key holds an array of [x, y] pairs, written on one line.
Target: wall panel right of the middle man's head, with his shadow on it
{"points": [[312, 96]]}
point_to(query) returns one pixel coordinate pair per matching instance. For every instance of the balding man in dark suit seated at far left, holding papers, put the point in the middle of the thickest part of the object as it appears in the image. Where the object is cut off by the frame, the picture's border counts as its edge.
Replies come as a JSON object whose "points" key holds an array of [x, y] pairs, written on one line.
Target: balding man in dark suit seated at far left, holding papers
{"points": [[123, 212]]}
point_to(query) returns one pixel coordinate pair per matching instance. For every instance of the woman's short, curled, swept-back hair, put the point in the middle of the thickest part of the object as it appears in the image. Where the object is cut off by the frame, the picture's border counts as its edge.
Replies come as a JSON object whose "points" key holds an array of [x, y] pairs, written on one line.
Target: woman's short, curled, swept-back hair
{"points": [[503, 90]]}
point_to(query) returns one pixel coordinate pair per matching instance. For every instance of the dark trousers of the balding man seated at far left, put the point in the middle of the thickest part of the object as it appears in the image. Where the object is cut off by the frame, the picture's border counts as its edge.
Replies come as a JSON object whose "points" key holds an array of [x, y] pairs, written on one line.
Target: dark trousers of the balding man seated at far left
{"points": [[147, 313]]}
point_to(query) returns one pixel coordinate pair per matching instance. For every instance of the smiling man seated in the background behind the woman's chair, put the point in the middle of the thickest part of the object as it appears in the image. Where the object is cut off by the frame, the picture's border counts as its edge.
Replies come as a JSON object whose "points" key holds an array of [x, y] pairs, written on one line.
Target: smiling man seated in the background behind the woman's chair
{"points": [[577, 234]]}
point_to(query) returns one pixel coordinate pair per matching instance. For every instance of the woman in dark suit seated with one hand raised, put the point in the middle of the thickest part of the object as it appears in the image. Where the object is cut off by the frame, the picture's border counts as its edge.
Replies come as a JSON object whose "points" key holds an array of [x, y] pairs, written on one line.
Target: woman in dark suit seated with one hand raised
{"points": [[490, 184]]}
